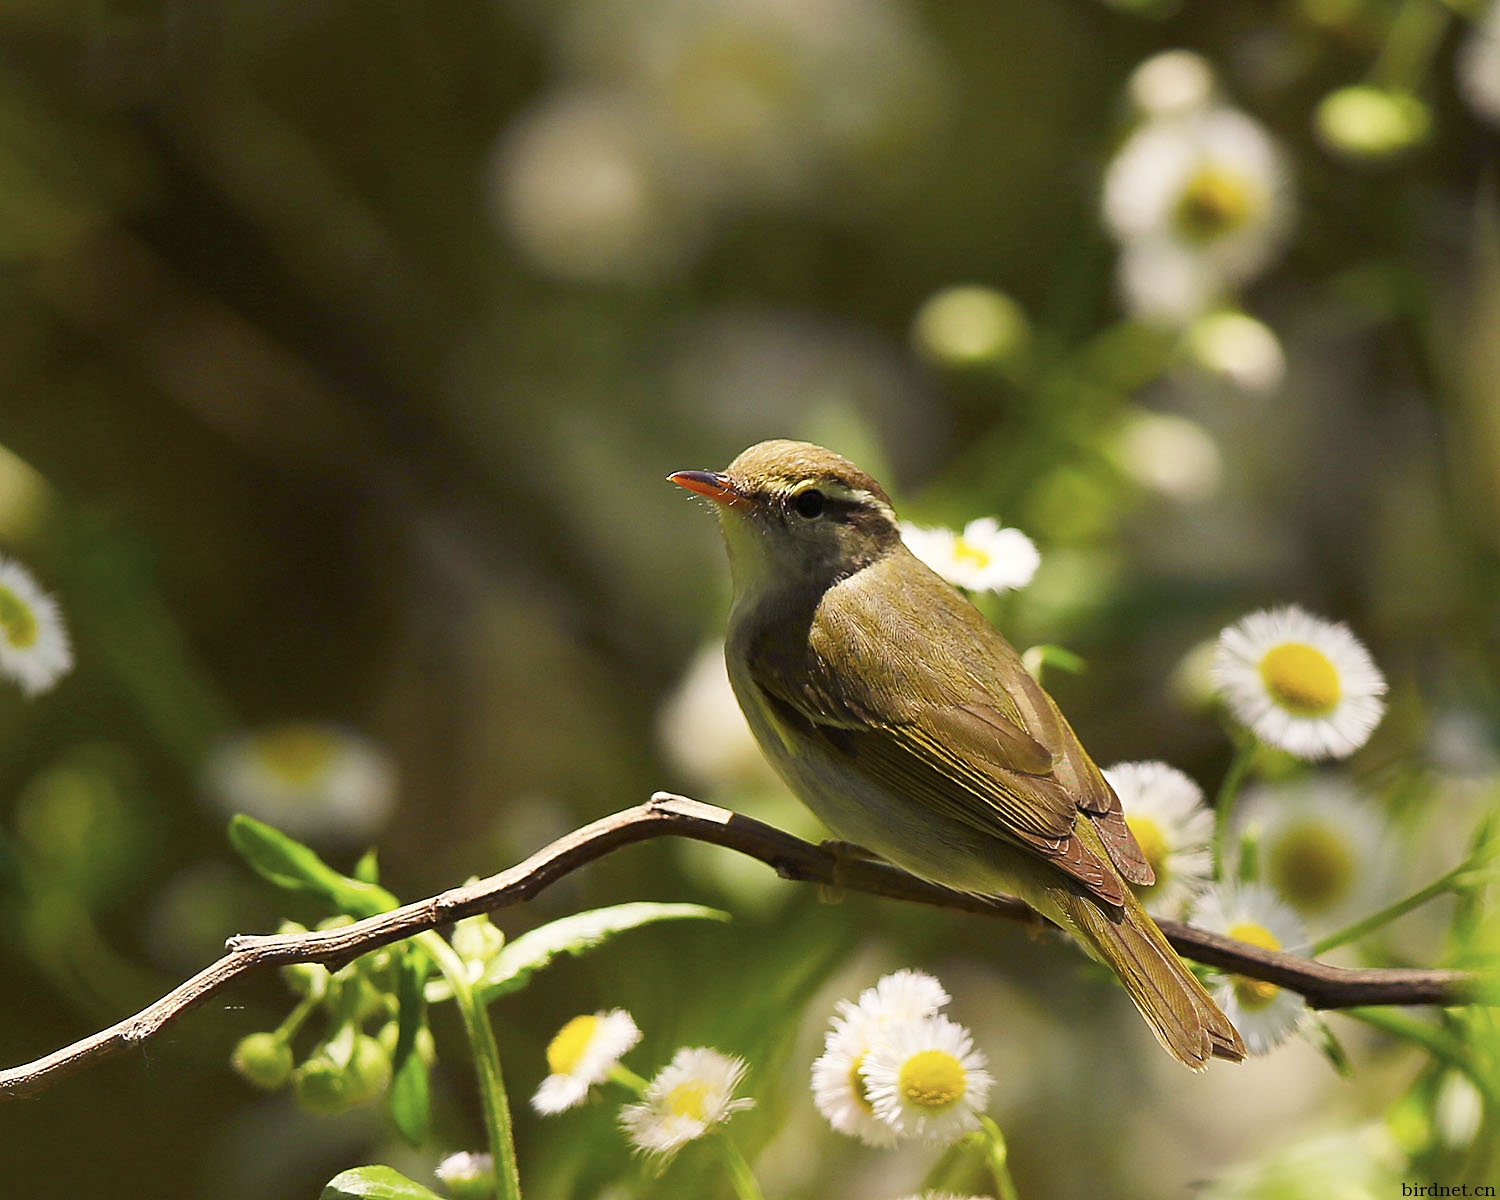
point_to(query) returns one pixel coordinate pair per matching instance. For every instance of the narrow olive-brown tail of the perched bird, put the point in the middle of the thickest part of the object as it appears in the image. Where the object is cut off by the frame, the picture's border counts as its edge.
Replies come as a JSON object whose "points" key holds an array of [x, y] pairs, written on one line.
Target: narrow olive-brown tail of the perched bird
{"points": [[1169, 997]]}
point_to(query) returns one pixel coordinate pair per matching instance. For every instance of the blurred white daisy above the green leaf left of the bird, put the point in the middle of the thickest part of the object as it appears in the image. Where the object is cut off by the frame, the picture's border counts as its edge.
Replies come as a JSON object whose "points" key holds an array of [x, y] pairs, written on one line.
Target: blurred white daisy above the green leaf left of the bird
{"points": [[311, 779]]}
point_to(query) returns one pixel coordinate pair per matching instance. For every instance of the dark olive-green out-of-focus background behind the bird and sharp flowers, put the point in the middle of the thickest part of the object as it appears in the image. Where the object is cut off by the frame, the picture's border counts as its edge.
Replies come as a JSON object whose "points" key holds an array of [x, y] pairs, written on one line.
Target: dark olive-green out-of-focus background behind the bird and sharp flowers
{"points": [[344, 352]]}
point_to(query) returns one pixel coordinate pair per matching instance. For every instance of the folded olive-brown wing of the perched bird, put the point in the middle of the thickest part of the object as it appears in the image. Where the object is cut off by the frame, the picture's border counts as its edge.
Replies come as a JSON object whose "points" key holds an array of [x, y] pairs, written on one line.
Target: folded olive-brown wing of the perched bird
{"points": [[928, 700]]}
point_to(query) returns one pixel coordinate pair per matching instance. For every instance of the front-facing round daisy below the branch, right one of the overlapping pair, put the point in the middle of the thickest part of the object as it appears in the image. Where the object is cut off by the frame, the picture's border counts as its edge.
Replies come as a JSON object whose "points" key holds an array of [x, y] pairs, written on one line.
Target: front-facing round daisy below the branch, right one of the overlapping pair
{"points": [[926, 1079]]}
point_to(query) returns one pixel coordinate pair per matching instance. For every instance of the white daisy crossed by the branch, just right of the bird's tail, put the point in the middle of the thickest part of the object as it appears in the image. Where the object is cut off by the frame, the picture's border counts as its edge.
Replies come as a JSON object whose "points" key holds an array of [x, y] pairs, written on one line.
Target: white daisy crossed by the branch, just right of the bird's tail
{"points": [[1264, 1013]]}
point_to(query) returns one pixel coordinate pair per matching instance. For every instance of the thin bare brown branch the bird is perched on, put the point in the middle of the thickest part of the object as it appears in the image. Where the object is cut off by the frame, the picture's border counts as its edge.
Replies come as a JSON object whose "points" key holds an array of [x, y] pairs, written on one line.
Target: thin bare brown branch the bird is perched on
{"points": [[668, 815]]}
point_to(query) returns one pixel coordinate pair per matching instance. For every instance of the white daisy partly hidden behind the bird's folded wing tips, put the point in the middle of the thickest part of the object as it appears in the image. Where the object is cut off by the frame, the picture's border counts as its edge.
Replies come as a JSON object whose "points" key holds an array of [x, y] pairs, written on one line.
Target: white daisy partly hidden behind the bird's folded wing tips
{"points": [[1174, 827]]}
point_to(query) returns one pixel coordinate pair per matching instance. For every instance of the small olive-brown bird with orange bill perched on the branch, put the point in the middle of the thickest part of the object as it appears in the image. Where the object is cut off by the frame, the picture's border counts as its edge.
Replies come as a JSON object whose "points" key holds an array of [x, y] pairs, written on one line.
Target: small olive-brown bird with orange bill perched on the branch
{"points": [[911, 728]]}
